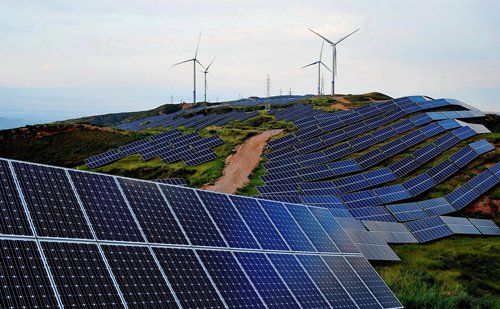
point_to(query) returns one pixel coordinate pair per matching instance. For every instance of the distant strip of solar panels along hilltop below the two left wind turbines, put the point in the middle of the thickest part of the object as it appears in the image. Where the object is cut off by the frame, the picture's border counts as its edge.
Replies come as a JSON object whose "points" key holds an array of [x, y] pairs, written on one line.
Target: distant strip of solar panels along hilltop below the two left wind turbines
{"points": [[180, 119]]}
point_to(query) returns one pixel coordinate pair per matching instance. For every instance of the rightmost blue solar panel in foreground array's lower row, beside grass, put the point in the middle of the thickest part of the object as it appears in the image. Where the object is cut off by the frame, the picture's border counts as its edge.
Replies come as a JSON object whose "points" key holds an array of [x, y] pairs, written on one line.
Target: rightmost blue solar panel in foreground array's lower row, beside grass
{"points": [[373, 281]]}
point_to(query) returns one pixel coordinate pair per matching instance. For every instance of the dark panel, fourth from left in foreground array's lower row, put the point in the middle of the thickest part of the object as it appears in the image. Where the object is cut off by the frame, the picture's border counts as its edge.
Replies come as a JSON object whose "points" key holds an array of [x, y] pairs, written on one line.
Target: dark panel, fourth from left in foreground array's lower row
{"points": [[191, 283]]}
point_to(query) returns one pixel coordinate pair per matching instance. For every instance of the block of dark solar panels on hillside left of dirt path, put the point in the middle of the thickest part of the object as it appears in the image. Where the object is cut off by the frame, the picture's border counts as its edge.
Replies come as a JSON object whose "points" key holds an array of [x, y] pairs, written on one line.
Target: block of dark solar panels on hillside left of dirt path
{"points": [[170, 146]]}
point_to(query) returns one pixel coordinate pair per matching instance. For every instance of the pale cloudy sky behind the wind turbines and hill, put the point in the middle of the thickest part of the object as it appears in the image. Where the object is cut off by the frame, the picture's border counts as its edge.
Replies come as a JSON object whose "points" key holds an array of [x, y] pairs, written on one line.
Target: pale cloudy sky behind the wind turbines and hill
{"points": [[64, 59]]}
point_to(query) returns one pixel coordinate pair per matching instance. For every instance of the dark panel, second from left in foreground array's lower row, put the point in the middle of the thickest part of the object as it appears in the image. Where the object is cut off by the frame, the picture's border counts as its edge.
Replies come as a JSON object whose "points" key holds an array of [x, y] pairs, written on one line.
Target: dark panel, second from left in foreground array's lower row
{"points": [[81, 276]]}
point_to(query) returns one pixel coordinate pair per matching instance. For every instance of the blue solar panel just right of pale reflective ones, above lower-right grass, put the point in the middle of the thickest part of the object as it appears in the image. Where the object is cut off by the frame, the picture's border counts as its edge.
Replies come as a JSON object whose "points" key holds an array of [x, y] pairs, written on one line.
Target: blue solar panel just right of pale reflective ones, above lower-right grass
{"points": [[428, 229]]}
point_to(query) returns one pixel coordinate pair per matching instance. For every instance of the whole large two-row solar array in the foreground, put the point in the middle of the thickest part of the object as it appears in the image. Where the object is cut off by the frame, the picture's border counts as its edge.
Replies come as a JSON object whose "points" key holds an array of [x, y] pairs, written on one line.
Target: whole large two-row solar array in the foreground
{"points": [[78, 239]]}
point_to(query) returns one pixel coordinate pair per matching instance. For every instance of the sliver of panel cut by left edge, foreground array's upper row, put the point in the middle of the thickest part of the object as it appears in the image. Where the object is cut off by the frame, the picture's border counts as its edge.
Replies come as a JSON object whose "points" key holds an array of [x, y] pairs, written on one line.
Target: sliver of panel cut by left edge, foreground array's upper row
{"points": [[13, 220]]}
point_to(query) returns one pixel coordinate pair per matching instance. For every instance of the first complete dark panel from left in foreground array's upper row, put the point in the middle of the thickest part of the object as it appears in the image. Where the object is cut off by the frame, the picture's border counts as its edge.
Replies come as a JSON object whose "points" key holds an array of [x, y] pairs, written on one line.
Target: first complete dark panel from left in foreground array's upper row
{"points": [[51, 201]]}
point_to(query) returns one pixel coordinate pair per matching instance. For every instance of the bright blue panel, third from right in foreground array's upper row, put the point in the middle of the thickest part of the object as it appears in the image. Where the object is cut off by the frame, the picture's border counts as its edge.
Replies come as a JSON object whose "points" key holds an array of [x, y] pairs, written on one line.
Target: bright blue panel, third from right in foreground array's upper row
{"points": [[287, 226]]}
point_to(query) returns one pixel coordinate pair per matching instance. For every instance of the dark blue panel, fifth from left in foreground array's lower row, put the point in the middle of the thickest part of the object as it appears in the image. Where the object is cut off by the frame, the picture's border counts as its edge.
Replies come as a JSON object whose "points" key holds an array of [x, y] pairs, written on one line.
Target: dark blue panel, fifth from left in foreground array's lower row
{"points": [[230, 279]]}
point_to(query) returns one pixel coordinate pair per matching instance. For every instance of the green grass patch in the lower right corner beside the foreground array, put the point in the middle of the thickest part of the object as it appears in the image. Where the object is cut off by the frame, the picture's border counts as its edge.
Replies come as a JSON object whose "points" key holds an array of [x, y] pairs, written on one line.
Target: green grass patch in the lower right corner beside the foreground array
{"points": [[457, 272]]}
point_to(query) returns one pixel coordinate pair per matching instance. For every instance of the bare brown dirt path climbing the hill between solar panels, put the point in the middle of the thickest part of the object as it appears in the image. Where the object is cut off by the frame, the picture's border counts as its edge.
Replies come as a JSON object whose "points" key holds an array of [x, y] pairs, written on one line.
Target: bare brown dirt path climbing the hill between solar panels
{"points": [[242, 163]]}
